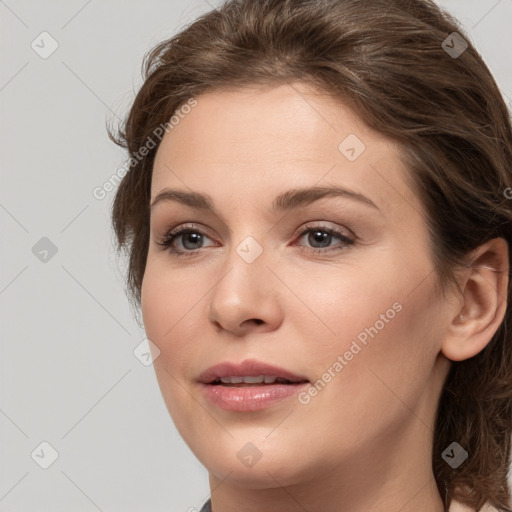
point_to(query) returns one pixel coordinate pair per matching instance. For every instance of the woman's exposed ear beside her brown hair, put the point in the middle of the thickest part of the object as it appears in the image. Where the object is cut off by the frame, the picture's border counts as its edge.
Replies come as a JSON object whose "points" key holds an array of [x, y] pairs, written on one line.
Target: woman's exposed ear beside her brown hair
{"points": [[484, 301]]}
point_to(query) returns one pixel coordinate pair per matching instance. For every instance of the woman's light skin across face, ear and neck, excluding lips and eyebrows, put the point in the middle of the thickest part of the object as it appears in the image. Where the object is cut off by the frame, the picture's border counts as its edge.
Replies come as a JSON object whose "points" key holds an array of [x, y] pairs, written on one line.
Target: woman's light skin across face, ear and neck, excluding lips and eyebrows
{"points": [[364, 442]]}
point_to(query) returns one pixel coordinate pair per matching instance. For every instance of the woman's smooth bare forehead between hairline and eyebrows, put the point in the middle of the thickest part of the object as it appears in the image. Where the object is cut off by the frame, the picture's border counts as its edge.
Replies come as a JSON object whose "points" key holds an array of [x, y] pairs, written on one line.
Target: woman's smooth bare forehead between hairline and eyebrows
{"points": [[268, 139]]}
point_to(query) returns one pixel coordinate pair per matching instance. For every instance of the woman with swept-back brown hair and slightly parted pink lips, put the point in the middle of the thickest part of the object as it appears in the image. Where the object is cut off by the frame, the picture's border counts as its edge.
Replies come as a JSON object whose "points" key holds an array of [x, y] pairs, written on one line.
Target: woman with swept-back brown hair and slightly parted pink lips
{"points": [[318, 227]]}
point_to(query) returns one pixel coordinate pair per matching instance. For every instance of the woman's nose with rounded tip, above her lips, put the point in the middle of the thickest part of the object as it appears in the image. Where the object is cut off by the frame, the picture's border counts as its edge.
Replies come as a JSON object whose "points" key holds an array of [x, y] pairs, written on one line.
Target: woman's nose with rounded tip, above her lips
{"points": [[246, 297]]}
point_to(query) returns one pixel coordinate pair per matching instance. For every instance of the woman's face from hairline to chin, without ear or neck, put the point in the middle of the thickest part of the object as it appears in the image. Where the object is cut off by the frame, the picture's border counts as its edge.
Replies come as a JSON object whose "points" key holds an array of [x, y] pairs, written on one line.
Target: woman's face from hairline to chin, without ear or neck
{"points": [[337, 289]]}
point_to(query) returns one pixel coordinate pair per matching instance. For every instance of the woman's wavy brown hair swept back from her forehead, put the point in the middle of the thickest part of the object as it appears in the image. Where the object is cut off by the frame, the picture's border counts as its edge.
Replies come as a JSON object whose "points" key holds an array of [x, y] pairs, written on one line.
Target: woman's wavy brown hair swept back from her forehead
{"points": [[387, 59]]}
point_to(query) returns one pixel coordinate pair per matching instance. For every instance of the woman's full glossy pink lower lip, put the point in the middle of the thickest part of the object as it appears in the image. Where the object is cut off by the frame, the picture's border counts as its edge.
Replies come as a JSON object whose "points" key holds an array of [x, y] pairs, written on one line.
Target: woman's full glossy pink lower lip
{"points": [[250, 398]]}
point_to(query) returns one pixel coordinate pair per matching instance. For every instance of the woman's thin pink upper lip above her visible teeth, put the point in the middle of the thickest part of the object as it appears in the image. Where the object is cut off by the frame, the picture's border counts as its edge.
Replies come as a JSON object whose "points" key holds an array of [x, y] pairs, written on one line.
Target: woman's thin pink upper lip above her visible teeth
{"points": [[247, 368]]}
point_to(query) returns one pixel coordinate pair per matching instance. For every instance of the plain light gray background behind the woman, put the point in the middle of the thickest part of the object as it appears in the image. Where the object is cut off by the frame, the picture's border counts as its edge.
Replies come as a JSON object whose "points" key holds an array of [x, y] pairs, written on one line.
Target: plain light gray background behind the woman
{"points": [[68, 375]]}
